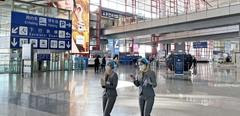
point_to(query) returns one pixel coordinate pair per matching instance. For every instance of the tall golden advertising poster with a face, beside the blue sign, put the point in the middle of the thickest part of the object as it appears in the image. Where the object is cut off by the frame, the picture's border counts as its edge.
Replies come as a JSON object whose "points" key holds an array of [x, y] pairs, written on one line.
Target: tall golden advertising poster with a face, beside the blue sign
{"points": [[80, 23]]}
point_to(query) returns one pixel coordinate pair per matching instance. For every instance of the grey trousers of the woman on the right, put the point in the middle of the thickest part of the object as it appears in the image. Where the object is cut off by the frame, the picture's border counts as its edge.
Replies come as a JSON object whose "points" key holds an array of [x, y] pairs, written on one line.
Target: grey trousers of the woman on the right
{"points": [[146, 104]]}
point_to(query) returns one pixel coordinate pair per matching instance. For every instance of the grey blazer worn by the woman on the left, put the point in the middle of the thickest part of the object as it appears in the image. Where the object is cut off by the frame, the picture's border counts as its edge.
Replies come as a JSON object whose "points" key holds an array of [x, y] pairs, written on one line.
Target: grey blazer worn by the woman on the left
{"points": [[111, 85]]}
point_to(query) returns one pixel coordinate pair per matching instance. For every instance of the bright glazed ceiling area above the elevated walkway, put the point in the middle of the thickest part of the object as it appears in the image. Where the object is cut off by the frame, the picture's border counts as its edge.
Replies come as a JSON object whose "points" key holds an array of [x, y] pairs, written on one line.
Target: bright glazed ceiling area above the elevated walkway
{"points": [[160, 8]]}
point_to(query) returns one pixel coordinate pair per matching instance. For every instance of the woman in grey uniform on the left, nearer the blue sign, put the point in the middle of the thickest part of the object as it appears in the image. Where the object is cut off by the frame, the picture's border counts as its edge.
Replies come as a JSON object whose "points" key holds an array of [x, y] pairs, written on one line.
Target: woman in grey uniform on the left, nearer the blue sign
{"points": [[109, 83]]}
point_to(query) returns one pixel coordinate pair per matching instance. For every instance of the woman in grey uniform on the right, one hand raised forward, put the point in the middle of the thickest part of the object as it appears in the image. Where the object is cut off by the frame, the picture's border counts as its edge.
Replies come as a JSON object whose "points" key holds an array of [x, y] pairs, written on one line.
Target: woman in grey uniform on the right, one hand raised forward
{"points": [[146, 81]]}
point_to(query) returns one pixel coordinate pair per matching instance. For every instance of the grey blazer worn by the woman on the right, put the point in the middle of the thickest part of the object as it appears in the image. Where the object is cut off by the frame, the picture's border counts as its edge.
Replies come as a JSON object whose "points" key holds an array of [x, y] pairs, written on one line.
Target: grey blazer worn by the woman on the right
{"points": [[146, 84]]}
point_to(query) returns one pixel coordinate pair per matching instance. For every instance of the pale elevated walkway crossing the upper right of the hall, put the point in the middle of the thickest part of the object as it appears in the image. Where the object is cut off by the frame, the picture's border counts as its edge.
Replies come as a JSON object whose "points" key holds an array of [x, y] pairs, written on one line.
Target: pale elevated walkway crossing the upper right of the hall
{"points": [[202, 20]]}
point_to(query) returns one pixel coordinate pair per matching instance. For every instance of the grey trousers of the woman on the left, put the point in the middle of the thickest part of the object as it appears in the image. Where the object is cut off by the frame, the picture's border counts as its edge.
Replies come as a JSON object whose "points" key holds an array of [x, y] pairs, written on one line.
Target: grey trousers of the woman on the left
{"points": [[108, 103]]}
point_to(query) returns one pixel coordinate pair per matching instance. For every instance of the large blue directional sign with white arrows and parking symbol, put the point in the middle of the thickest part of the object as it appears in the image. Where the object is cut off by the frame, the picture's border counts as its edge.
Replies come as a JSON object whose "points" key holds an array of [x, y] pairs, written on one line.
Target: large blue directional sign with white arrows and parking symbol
{"points": [[43, 32]]}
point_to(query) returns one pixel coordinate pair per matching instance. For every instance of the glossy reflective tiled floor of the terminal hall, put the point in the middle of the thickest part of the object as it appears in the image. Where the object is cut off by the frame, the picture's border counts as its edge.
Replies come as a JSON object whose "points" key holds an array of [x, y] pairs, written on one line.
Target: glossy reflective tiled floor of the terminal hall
{"points": [[213, 91]]}
